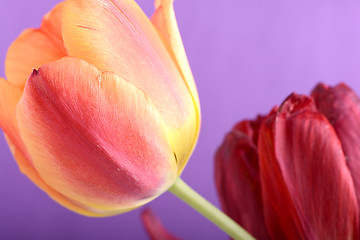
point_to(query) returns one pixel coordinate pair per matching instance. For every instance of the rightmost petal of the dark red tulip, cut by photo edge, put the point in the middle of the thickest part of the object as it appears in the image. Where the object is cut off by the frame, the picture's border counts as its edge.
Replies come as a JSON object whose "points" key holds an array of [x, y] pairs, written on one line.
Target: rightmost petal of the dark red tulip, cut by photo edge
{"points": [[341, 106]]}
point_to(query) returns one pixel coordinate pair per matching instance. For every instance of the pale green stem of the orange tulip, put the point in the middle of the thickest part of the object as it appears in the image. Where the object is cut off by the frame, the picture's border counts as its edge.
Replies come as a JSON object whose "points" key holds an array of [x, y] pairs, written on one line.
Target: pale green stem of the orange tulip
{"points": [[200, 204]]}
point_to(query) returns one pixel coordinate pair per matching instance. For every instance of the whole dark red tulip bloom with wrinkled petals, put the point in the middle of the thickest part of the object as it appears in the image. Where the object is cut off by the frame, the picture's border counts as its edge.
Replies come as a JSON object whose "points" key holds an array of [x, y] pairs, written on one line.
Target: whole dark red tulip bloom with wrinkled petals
{"points": [[296, 179]]}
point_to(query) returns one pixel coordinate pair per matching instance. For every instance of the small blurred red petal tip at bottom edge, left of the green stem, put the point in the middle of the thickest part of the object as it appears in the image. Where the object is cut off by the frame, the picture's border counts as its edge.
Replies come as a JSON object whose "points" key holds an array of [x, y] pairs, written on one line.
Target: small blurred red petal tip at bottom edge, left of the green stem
{"points": [[154, 227]]}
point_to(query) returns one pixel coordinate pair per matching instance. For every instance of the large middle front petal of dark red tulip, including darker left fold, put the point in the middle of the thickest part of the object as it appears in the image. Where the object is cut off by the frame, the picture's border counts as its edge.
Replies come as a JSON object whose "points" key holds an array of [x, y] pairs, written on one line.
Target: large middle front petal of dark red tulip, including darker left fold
{"points": [[307, 188]]}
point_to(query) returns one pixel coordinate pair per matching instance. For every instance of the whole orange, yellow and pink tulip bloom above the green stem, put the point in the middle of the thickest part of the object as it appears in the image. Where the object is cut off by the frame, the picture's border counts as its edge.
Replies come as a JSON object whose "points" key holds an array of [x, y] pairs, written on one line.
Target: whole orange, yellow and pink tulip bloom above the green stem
{"points": [[111, 116]]}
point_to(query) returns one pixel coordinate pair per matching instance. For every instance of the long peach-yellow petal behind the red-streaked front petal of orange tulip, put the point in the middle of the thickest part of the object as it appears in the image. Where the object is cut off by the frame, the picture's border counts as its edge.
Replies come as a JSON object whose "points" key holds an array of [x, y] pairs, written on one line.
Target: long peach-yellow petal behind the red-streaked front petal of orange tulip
{"points": [[117, 36]]}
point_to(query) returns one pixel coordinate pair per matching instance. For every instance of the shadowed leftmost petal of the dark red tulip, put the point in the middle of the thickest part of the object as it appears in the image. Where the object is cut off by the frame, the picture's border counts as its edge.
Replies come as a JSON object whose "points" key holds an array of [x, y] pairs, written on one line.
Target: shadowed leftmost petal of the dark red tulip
{"points": [[237, 178]]}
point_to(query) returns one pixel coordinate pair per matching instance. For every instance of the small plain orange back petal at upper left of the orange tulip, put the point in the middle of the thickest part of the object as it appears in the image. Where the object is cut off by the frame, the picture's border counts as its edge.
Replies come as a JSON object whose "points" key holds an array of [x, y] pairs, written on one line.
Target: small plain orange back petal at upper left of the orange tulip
{"points": [[35, 47]]}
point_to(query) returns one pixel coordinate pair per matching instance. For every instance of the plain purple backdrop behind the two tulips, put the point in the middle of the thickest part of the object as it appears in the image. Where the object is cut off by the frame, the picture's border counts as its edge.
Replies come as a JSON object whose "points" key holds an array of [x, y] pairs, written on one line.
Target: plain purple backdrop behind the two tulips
{"points": [[246, 57]]}
